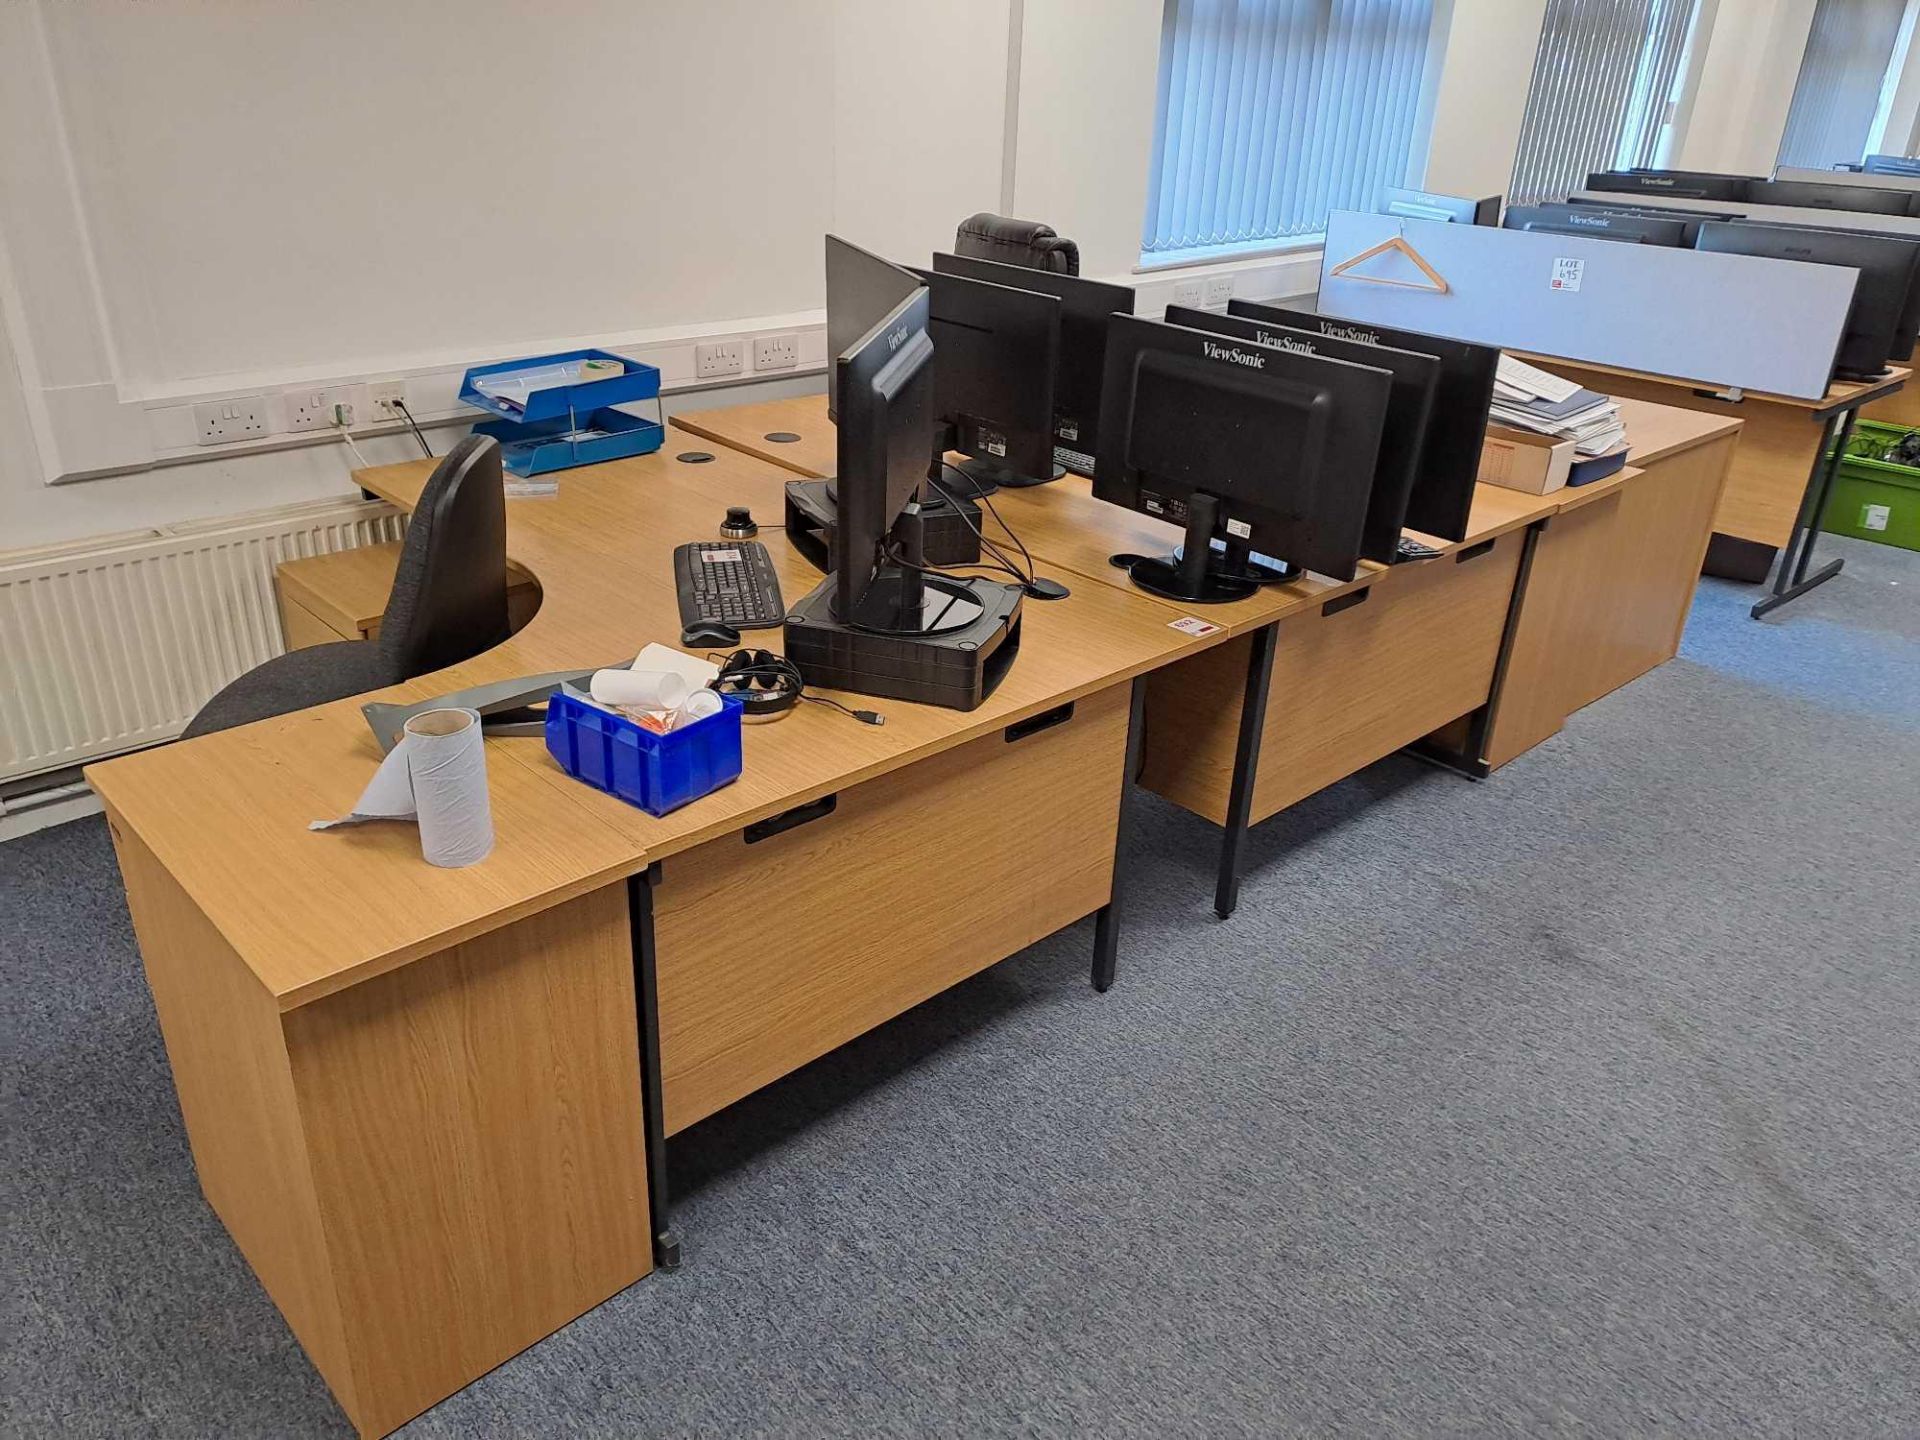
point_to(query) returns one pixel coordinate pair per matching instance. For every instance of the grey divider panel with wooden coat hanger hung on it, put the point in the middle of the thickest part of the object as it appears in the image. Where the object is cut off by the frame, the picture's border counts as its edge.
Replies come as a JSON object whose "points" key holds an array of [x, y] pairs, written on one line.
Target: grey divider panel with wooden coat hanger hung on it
{"points": [[1717, 320]]}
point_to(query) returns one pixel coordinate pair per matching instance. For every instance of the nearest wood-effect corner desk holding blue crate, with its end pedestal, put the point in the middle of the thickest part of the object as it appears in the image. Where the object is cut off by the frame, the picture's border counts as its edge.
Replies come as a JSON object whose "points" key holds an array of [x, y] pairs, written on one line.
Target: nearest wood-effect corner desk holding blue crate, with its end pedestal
{"points": [[431, 1105]]}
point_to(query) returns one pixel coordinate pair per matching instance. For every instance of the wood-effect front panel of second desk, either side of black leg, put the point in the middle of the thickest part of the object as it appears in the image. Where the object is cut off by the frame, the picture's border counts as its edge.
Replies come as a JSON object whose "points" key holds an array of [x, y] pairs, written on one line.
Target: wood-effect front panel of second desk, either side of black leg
{"points": [[1353, 683]]}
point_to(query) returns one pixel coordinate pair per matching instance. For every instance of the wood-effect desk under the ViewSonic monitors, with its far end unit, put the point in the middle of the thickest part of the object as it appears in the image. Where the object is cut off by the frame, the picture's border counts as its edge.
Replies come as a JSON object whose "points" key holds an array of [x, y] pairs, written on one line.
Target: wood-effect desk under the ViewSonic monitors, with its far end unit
{"points": [[1476, 658]]}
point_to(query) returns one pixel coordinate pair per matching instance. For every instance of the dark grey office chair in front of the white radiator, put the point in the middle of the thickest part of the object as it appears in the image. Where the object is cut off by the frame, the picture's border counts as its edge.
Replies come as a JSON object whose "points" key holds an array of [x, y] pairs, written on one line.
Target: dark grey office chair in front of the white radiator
{"points": [[448, 604]]}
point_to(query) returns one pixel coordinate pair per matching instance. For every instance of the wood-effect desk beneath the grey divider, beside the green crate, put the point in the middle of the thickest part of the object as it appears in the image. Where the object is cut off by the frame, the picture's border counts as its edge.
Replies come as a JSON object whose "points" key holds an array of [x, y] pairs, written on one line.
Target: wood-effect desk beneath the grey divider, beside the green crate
{"points": [[1777, 466]]}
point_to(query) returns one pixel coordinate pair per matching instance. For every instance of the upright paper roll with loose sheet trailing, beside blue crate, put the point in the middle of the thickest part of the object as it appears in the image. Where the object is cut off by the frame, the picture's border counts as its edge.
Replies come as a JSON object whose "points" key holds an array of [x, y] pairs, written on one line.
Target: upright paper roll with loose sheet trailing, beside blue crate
{"points": [[437, 775]]}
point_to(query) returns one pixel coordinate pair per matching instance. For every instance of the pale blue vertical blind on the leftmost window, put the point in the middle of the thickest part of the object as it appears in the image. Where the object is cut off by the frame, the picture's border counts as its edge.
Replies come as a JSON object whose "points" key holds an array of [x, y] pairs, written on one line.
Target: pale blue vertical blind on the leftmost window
{"points": [[1278, 112]]}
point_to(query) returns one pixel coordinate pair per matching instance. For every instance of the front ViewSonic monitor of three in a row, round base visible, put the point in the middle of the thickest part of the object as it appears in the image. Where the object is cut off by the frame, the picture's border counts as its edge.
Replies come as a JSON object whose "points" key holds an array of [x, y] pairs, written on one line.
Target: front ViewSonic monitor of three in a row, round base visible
{"points": [[1268, 450]]}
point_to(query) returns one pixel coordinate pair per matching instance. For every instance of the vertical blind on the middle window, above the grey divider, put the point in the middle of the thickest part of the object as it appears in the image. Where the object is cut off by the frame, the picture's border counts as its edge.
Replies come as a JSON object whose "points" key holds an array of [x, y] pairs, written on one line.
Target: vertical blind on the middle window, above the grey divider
{"points": [[1600, 93]]}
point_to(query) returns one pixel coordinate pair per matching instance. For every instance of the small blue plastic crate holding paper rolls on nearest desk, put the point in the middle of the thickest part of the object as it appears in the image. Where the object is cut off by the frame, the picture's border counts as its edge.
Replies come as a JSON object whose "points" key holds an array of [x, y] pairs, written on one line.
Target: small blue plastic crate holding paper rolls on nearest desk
{"points": [[646, 769]]}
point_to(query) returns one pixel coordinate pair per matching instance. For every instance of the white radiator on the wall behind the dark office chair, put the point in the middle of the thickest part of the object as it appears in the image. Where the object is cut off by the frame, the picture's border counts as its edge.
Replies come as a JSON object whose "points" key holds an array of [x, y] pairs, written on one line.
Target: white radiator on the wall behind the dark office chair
{"points": [[116, 644]]}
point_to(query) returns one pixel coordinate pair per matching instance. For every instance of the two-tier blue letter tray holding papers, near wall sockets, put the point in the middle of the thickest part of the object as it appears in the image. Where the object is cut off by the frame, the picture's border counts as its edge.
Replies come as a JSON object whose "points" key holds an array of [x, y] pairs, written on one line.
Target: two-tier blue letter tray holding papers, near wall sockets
{"points": [[567, 423]]}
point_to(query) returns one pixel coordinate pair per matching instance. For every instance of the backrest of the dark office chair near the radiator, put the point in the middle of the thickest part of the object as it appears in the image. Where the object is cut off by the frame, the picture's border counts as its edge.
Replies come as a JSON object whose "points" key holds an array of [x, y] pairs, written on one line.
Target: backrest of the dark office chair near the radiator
{"points": [[450, 590]]}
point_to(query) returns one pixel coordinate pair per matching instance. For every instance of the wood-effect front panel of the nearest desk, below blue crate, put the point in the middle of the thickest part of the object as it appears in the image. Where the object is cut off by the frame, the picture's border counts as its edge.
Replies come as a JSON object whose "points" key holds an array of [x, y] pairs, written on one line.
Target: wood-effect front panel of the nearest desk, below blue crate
{"points": [[779, 948]]}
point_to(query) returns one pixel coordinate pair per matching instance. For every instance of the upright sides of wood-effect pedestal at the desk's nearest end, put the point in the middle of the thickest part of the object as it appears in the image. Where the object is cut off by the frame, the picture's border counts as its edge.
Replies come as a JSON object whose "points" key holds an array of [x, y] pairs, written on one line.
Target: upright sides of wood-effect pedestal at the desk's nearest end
{"points": [[431, 1170]]}
